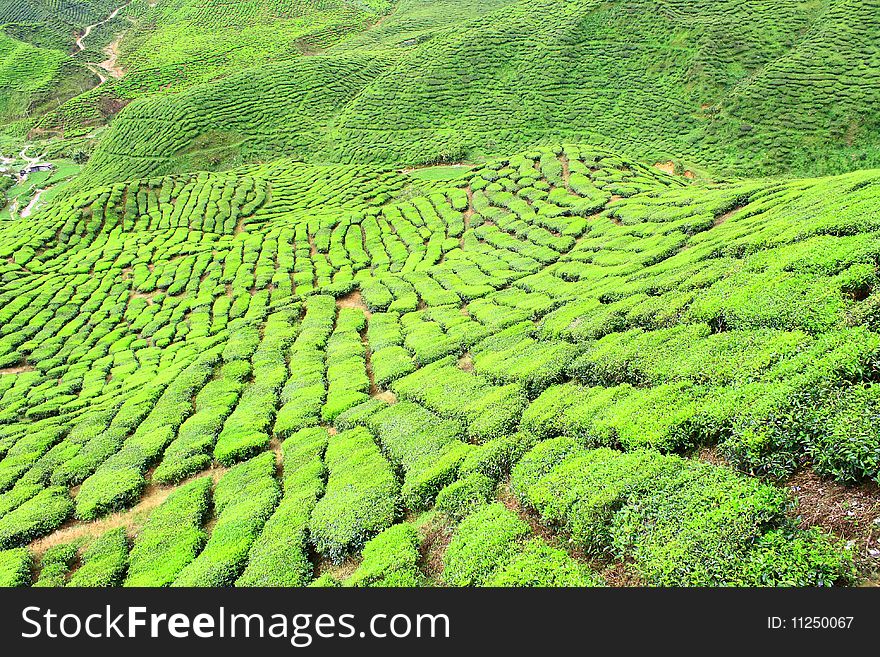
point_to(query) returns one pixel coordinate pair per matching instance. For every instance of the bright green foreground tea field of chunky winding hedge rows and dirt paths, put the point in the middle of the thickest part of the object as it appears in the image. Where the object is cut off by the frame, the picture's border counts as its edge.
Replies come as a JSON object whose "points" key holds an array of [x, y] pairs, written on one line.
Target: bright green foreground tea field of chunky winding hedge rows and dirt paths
{"points": [[290, 374]]}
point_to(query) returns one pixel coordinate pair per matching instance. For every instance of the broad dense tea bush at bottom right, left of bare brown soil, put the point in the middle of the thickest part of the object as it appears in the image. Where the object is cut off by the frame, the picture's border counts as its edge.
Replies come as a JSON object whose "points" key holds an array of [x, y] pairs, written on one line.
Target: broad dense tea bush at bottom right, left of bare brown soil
{"points": [[682, 522]]}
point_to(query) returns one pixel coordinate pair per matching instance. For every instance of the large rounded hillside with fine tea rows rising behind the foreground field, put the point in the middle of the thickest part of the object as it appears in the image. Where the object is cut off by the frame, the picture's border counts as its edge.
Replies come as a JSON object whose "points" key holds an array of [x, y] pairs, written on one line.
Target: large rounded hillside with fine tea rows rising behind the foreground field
{"points": [[794, 90]]}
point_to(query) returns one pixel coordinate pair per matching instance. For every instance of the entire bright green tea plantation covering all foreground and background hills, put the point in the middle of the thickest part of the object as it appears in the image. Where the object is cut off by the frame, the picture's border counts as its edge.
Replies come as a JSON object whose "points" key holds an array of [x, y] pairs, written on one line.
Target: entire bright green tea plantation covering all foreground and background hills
{"points": [[439, 293]]}
